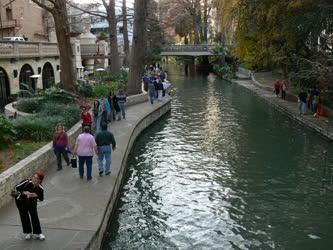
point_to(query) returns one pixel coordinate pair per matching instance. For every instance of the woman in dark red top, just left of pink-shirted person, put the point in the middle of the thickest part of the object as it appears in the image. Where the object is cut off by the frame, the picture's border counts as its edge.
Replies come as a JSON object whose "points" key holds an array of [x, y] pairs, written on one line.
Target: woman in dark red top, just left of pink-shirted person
{"points": [[60, 145]]}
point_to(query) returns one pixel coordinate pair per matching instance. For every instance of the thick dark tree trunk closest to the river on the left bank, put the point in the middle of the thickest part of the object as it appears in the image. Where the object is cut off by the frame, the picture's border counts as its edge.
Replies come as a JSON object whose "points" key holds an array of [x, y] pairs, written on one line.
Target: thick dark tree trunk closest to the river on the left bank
{"points": [[138, 47]]}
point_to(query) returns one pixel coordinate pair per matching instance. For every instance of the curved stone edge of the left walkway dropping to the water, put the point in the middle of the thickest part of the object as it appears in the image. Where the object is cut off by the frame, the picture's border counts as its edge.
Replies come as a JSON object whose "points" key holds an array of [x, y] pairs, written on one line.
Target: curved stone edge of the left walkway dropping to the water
{"points": [[96, 241]]}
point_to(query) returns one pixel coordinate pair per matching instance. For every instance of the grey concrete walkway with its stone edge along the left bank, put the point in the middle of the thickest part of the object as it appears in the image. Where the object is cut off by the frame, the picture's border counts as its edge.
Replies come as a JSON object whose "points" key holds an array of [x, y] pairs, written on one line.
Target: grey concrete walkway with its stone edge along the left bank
{"points": [[76, 212]]}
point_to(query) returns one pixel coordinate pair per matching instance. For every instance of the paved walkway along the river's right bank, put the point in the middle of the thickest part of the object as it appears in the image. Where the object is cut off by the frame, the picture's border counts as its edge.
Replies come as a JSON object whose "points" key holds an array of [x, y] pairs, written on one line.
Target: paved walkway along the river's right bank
{"points": [[324, 126]]}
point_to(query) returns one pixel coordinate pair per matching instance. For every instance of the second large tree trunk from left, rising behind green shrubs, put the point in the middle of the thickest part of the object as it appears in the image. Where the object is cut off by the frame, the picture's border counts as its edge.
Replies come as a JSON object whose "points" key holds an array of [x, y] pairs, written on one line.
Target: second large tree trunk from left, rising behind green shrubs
{"points": [[114, 55]]}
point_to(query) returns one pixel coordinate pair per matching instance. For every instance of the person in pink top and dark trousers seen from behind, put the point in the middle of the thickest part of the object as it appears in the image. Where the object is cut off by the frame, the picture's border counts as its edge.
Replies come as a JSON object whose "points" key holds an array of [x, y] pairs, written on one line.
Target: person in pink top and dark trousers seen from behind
{"points": [[84, 147]]}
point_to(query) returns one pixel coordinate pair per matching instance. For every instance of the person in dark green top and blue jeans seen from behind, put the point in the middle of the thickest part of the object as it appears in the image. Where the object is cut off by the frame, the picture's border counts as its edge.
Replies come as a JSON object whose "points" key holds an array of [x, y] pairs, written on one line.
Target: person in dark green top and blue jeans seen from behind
{"points": [[103, 141]]}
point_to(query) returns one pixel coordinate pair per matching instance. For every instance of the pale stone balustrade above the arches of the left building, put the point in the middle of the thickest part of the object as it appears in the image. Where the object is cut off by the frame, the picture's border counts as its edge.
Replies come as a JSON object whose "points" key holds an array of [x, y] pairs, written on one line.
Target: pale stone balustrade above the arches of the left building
{"points": [[17, 49]]}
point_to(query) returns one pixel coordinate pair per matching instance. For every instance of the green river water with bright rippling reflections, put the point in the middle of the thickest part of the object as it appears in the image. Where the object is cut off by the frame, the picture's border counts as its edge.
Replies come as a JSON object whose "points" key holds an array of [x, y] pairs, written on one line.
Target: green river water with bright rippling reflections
{"points": [[223, 171]]}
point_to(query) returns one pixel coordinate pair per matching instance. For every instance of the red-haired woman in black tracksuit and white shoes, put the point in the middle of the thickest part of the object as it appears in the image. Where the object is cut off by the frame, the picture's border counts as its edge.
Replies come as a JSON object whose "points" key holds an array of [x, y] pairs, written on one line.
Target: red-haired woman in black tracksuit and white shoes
{"points": [[28, 192]]}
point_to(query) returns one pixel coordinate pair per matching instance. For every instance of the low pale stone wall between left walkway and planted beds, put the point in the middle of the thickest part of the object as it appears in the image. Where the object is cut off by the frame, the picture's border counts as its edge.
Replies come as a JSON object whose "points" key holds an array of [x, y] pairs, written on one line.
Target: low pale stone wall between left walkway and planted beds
{"points": [[42, 159]]}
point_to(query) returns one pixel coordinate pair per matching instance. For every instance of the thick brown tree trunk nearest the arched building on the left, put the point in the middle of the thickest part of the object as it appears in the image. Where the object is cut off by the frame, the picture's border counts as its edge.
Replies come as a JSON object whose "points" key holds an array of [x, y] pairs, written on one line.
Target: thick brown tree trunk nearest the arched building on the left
{"points": [[67, 74]]}
